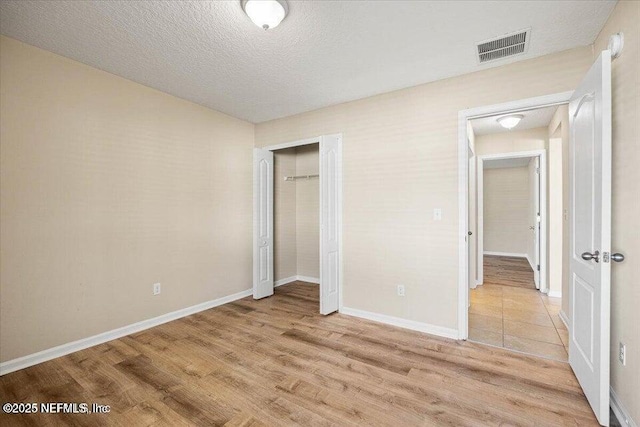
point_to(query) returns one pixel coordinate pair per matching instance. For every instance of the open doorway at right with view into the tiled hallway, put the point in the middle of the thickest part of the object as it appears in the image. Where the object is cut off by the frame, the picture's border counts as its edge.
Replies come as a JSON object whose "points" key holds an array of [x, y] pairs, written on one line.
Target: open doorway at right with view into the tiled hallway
{"points": [[511, 302]]}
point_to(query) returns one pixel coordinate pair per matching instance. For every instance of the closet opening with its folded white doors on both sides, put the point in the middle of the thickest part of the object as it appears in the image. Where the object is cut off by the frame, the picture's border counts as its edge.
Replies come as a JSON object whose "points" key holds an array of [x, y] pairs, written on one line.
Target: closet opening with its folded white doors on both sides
{"points": [[297, 203]]}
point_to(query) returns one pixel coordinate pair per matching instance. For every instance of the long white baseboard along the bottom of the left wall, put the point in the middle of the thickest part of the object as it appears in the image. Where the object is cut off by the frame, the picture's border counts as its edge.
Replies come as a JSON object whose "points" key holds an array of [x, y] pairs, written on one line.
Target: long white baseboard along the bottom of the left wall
{"points": [[64, 349]]}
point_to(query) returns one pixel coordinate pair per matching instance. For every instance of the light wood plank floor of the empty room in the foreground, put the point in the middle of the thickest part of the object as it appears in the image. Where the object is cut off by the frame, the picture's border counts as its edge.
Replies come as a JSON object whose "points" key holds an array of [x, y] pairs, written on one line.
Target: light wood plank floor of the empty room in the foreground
{"points": [[277, 362]]}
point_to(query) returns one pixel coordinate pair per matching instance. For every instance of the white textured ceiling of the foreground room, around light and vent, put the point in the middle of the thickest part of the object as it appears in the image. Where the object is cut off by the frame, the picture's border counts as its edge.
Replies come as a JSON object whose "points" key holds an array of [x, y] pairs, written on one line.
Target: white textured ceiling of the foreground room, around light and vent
{"points": [[323, 53]]}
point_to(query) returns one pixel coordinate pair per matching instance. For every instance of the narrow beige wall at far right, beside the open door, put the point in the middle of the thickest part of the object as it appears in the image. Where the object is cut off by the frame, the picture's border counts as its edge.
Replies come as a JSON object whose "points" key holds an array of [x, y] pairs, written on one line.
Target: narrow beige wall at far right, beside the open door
{"points": [[625, 292]]}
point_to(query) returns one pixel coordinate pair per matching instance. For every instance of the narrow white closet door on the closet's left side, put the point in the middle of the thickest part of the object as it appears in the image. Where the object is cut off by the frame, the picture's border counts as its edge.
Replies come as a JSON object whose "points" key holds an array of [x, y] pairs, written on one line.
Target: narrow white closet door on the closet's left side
{"points": [[262, 223]]}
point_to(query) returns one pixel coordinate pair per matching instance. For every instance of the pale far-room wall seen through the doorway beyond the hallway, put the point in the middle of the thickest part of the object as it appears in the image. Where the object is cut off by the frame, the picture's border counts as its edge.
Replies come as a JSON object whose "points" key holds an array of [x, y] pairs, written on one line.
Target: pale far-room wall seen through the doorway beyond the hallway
{"points": [[506, 195]]}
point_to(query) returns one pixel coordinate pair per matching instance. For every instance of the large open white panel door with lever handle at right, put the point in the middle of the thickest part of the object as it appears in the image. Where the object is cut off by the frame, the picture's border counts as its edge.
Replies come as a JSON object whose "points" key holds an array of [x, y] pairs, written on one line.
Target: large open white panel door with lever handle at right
{"points": [[590, 198]]}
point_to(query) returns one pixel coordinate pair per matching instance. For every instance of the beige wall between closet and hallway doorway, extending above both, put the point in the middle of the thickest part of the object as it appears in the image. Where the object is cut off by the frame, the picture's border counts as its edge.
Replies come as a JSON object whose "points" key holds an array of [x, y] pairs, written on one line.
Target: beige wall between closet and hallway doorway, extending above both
{"points": [[400, 162]]}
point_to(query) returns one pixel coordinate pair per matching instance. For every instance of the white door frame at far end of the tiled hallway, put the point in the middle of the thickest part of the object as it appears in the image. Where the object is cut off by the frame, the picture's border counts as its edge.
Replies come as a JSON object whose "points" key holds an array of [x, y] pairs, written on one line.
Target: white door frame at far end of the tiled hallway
{"points": [[542, 155]]}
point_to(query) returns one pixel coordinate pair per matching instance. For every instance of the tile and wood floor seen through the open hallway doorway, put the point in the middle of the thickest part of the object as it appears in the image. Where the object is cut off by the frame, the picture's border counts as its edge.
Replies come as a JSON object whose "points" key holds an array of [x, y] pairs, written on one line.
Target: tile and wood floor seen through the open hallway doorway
{"points": [[507, 311]]}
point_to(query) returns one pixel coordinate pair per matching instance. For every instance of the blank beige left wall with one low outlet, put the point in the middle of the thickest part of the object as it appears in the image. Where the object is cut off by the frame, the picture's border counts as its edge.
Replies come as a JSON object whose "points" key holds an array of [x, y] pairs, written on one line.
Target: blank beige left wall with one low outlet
{"points": [[106, 187]]}
